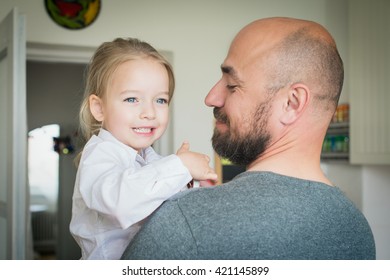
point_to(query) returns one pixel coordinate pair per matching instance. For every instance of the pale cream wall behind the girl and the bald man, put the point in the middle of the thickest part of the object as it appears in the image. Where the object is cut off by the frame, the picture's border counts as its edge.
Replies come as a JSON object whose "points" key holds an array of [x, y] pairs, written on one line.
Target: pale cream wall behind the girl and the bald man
{"points": [[198, 34]]}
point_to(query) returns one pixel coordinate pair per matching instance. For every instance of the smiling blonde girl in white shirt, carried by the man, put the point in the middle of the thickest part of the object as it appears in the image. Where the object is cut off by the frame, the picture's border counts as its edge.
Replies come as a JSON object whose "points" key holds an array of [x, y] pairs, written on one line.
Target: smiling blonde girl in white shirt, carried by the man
{"points": [[120, 179]]}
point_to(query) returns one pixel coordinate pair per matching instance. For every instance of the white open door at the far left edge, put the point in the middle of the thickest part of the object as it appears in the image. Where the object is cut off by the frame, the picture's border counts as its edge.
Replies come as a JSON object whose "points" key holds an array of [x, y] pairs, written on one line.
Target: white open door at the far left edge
{"points": [[13, 205]]}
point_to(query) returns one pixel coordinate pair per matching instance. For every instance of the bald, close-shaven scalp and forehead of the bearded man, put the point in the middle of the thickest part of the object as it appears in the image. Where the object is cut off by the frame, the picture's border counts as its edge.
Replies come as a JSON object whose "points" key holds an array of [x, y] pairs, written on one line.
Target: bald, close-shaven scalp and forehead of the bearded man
{"points": [[291, 51]]}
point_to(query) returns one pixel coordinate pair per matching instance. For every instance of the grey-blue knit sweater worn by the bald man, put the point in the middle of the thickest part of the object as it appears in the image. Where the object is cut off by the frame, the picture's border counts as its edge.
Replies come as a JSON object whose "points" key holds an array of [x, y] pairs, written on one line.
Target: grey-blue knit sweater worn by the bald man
{"points": [[258, 215]]}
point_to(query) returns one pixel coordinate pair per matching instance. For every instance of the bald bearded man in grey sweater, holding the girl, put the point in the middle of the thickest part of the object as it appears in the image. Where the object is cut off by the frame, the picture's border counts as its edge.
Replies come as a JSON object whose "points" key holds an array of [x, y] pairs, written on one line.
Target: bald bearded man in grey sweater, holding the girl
{"points": [[280, 85]]}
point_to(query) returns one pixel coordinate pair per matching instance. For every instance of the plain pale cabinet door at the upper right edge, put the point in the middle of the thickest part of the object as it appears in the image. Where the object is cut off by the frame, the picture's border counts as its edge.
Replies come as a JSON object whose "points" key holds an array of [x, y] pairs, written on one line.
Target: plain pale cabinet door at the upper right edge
{"points": [[369, 77]]}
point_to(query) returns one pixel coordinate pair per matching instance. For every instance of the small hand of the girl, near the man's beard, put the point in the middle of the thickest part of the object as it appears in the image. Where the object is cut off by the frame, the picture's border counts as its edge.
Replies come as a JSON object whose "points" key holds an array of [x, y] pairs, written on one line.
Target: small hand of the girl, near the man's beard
{"points": [[196, 163]]}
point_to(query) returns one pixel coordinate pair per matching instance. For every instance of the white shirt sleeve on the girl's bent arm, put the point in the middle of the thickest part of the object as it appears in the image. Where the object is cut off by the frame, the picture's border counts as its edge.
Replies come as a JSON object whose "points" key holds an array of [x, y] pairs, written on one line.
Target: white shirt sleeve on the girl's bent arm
{"points": [[109, 185]]}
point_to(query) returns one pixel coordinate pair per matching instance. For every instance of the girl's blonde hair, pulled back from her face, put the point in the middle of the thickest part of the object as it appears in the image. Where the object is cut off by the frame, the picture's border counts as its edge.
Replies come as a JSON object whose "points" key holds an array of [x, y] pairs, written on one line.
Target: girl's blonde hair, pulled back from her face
{"points": [[99, 73]]}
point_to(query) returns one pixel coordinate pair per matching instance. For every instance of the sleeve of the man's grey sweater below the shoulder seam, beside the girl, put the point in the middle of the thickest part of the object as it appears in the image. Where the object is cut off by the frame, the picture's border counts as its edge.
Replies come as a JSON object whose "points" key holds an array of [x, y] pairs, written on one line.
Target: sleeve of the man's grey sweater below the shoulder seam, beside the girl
{"points": [[165, 236]]}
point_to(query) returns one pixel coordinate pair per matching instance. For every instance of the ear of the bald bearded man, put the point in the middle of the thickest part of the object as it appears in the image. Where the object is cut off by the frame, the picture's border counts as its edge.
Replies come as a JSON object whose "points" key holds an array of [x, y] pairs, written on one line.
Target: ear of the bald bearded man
{"points": [[295, 103]]}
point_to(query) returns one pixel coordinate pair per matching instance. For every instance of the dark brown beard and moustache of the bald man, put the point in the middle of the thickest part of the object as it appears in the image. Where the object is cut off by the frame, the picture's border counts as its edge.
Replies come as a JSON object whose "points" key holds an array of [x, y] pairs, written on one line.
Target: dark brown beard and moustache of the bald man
{"points": [[243, 149]]}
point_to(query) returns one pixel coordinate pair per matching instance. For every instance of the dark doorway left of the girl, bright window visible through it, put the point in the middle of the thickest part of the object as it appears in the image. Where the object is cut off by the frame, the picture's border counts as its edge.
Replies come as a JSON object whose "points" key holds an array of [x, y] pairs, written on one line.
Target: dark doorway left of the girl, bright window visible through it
{"points": [[54, 93]]}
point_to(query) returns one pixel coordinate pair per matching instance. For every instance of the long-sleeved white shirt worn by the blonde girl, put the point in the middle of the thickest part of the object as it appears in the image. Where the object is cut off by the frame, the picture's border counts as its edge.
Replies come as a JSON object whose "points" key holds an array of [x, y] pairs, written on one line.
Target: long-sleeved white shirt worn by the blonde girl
{"points": [[115, 190]]}
